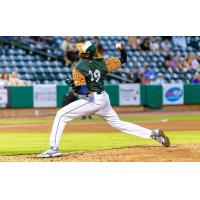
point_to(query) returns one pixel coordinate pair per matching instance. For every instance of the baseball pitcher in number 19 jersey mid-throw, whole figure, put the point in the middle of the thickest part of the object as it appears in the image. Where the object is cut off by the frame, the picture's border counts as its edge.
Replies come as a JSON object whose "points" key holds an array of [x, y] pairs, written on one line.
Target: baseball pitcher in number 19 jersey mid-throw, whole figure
{"points": [[88, 82]]}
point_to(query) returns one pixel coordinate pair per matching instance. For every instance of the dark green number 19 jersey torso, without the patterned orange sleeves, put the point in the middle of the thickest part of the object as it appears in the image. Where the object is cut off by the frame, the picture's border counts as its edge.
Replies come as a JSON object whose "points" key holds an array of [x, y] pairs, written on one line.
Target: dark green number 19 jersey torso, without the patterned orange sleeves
{"points": [[94, 71]]}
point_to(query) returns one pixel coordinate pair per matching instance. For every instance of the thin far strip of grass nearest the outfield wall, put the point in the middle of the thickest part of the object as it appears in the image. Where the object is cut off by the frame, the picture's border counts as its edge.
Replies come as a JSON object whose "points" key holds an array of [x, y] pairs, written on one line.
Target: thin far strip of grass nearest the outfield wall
{"points": [[97, 119]]}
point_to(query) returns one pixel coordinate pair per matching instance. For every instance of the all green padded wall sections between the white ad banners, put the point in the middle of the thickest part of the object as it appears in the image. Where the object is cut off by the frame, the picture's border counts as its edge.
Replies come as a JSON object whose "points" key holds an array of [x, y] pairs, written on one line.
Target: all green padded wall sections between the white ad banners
{"points": [[151, 95]]}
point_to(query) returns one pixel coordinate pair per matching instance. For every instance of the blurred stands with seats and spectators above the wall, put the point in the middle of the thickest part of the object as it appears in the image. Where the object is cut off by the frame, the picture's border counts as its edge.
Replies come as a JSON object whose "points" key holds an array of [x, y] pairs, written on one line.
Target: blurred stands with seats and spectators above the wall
{"points": [[50, 59]]}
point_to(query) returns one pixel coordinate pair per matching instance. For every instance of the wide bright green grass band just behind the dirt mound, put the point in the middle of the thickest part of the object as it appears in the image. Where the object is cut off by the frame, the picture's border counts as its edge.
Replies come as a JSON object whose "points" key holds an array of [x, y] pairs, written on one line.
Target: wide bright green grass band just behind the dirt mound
{"points": [[31, 143]]}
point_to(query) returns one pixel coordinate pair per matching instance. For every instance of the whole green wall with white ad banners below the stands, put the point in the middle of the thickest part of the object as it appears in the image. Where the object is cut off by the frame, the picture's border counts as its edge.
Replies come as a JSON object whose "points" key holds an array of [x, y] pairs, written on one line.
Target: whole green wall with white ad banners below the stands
{"points": [[152, 96]]}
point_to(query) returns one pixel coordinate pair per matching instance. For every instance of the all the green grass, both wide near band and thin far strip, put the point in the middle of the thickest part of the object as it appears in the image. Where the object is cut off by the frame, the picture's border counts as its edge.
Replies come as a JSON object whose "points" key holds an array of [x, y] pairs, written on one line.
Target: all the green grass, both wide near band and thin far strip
{"points": [[32, 143]]}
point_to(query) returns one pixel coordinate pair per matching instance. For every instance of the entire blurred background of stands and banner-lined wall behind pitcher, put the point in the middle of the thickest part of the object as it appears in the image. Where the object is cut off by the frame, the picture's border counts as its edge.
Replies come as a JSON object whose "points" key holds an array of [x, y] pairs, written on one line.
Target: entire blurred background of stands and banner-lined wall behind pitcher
{"points": [[152, 62]]}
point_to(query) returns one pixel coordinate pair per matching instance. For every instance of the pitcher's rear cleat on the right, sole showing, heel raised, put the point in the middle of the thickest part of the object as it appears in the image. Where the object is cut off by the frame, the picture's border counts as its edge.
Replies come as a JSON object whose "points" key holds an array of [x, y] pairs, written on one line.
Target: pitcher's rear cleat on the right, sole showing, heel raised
{"points": [[159, 136]]}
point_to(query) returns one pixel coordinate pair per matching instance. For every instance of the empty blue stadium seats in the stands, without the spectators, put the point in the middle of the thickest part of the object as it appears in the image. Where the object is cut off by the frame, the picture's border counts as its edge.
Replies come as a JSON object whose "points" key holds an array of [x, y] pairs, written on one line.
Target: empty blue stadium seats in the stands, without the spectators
{"points": [[30, 62]]}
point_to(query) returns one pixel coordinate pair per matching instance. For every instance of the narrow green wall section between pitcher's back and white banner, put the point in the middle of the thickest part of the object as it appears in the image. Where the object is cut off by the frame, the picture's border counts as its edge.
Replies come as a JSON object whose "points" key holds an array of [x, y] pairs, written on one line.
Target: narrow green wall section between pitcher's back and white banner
{"points": [[113, 91]]}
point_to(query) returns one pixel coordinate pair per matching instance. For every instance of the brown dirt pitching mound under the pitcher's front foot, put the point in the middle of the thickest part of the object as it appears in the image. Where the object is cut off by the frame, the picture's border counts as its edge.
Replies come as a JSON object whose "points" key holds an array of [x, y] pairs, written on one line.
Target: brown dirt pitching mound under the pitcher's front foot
{"points": [[176, 153]]}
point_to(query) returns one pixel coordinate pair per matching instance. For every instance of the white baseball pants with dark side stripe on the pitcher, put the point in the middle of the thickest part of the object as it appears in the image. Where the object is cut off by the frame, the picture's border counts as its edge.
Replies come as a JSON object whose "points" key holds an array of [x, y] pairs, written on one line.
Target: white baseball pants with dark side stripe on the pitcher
{"points": [[94, 103]]}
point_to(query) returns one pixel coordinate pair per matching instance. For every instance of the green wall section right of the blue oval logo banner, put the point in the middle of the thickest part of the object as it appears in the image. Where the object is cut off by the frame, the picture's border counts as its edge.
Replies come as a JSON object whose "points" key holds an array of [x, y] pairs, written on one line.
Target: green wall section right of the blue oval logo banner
{"points": [[192, 94]]}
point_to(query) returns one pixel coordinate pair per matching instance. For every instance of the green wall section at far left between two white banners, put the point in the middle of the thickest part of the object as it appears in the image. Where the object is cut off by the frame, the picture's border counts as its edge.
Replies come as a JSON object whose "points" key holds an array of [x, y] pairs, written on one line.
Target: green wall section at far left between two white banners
{"points": [[20, 97]]}
